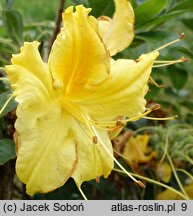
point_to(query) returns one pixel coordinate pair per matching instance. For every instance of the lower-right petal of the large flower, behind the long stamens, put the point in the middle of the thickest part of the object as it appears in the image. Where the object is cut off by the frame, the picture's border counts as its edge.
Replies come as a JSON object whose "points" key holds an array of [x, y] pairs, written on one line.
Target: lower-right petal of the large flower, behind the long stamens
{"points": [[93, 161]]}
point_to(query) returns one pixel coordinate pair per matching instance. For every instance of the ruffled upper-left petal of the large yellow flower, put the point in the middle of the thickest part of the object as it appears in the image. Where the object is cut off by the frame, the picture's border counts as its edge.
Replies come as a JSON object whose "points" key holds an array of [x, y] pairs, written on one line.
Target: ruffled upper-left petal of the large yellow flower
{"points": [[29, 75]]}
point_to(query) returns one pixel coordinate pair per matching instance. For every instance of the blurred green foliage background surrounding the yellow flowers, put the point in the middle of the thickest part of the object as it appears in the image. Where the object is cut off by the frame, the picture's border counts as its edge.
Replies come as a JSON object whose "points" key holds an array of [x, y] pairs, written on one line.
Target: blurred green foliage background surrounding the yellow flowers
{"points": [[156, 23]]}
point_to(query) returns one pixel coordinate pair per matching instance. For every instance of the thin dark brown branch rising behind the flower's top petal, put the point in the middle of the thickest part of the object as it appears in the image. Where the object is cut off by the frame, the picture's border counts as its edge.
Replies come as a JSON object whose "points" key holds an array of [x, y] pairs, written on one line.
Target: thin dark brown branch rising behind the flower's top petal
{"points": [[57, 24]]}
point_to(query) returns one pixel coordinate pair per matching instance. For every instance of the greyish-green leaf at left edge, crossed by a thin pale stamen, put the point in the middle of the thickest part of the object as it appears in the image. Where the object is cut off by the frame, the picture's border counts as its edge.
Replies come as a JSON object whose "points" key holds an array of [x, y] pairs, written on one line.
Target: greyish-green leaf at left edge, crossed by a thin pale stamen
{"points": [[11, 105]]}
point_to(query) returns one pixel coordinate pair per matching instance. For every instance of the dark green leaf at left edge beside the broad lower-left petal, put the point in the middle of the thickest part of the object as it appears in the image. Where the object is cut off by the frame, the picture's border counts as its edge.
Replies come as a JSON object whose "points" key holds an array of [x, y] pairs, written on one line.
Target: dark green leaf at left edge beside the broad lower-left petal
{"points": [[7, 150]]}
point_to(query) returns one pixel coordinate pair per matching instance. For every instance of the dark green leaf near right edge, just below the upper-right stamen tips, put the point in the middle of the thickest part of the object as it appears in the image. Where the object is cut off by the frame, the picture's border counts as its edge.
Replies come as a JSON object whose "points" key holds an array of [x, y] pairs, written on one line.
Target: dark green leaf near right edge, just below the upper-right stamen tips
{"points": [[178, 76]]}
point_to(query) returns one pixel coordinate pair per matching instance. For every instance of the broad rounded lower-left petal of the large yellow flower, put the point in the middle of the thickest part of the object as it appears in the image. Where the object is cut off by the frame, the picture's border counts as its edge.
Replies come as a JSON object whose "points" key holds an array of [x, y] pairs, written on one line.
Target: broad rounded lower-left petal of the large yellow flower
{"points": [[47, 154]]}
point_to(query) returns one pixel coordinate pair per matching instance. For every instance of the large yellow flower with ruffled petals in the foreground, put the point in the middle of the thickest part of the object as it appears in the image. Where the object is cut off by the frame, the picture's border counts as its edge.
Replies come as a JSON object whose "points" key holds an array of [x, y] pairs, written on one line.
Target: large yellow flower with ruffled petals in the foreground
{"points": [[65, 106]]}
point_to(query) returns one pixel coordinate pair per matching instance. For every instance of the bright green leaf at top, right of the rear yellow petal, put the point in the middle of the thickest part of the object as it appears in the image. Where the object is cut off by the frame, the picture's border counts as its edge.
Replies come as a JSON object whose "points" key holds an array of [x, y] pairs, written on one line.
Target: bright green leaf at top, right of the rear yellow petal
{"points": [[149, 10]]}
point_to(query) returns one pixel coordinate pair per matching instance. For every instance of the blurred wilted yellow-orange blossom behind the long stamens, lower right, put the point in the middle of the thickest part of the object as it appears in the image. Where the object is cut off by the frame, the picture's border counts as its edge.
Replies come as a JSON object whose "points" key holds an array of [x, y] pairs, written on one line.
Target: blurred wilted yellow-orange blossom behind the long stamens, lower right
{"points": [[136, 150]]}
